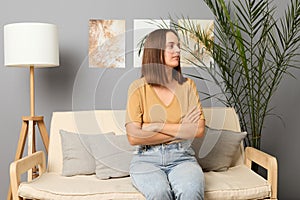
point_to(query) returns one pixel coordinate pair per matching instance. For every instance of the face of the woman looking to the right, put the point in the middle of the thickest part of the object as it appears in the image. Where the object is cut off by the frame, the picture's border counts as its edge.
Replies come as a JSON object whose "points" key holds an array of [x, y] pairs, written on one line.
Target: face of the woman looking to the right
{"points": [[172, 51]]}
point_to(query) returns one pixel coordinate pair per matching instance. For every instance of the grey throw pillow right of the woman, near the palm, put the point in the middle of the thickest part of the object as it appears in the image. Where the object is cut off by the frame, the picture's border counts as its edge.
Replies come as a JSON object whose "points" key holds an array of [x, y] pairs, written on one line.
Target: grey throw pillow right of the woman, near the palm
{"points": [[216, 150]]}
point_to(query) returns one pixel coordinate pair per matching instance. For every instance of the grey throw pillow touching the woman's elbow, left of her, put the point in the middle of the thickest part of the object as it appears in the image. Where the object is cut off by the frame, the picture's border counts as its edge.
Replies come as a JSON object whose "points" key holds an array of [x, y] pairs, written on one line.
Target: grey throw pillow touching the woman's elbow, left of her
{"points": [[112, 155]]}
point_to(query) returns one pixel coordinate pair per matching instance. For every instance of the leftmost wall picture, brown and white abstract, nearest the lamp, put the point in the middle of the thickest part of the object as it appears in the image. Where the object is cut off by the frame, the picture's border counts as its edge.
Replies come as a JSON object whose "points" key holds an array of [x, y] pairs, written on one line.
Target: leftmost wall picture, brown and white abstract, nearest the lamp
{"points": [[106, 43]]}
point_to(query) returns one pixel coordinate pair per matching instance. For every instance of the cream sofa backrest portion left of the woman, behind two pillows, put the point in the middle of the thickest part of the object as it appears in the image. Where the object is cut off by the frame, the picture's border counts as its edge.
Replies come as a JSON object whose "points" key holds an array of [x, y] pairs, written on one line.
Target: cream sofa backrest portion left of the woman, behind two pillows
{"points": [[88, 122]]}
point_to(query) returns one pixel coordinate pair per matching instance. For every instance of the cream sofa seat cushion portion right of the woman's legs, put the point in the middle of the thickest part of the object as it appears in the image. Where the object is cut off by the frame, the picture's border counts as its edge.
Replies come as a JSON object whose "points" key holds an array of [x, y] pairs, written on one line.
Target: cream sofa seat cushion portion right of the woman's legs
{"points": [[236, 183]]}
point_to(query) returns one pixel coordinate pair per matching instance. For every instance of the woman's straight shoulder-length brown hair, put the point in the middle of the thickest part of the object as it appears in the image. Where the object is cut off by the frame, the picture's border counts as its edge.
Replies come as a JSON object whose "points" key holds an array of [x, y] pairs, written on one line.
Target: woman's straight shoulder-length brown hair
{"points": [[153, 63]]}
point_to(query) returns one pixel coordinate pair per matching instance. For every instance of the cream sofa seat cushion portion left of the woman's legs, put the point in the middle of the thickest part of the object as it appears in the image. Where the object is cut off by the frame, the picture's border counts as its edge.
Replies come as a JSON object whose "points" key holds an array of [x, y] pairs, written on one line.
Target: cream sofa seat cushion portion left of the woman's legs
{"points": [[83, 187]]}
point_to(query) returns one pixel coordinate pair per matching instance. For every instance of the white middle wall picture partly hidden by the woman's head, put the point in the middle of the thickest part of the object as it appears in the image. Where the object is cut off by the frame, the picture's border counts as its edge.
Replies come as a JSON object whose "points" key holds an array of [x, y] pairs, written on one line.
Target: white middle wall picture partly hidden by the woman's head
{"points": [[142, 27]]}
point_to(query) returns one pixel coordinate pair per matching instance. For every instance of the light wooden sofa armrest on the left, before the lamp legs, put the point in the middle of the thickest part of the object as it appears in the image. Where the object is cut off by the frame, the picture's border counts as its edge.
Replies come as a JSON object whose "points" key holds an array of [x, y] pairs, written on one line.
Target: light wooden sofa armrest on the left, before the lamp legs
{"points": [[18, 167]]}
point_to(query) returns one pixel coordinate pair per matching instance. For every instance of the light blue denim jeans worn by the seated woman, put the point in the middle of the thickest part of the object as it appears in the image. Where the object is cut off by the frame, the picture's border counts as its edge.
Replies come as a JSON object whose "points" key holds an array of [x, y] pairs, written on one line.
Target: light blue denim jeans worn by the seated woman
{"points": [[167, 172]]}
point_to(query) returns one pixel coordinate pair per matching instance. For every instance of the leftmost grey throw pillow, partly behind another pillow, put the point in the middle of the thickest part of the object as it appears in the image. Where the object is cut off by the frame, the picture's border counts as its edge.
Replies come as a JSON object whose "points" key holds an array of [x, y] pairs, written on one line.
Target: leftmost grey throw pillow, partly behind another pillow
{"points": [[77, 157]]}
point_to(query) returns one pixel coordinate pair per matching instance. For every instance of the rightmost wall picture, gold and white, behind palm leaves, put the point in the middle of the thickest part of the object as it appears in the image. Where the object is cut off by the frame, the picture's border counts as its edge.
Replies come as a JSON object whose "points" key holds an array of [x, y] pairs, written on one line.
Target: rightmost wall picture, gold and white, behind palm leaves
{"points": [[191, 45]]}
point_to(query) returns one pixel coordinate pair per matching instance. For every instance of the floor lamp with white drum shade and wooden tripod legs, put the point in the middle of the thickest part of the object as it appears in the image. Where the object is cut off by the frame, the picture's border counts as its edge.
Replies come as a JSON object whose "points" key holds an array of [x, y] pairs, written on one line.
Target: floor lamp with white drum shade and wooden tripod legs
{"points": [[31, 45]]}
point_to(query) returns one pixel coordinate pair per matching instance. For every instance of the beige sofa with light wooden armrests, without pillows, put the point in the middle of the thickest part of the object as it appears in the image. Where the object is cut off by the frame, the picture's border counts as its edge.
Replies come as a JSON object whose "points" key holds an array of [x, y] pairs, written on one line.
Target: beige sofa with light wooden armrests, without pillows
{"points": [[238, 182]]}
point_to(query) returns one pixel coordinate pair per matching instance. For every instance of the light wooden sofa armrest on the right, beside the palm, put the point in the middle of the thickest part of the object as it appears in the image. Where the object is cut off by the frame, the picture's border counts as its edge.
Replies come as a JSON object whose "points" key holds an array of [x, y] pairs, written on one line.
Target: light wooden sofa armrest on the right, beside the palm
{"points": [[266, 161]]}
